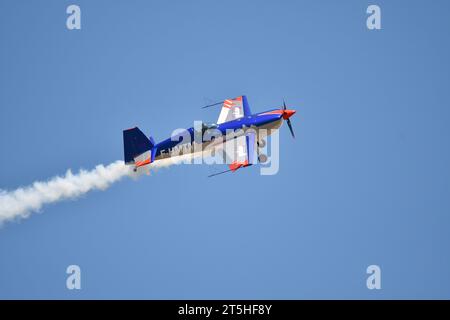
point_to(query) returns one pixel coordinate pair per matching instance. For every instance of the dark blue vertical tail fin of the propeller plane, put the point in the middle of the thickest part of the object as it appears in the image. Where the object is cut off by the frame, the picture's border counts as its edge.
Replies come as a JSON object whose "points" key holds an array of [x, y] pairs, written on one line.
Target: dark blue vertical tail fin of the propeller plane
{"points": [[135, 143]]}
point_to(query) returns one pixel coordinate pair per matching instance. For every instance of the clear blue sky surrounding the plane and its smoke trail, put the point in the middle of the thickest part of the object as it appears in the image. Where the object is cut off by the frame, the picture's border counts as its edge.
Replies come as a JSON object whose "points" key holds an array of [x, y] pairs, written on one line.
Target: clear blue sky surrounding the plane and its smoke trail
{"points": [[367, 180]]}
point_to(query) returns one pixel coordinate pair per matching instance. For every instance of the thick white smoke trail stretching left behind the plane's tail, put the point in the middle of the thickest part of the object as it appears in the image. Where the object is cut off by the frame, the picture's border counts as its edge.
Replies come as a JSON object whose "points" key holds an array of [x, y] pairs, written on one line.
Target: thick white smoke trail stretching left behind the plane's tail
{"points": [[21, 202]]}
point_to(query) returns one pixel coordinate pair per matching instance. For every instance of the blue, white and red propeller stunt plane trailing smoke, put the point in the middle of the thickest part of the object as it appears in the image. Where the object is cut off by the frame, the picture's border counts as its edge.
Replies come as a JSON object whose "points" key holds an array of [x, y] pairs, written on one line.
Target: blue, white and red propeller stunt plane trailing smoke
{"points": [[235, 116]]}
